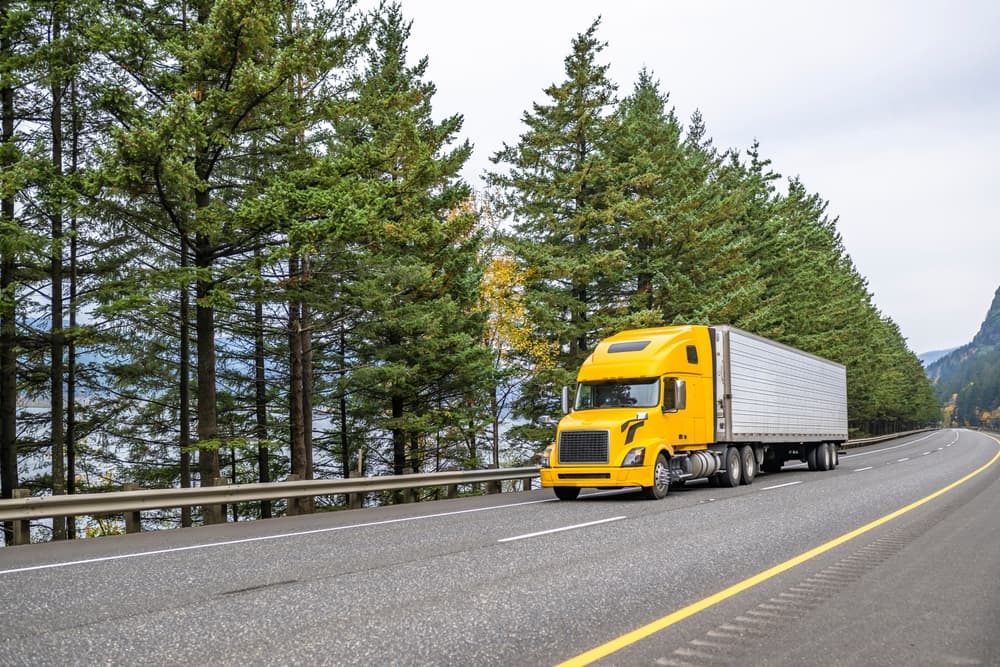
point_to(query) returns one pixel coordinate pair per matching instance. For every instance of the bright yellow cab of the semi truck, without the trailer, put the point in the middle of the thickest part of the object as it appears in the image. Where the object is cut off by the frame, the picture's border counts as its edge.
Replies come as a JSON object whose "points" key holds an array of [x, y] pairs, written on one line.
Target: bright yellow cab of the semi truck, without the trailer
{"points": [[641, 396]]}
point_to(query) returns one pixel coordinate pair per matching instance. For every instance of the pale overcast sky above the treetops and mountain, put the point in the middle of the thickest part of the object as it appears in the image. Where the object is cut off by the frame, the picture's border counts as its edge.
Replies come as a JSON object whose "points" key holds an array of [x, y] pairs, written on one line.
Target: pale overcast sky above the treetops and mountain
{"points": [[888, 110]]}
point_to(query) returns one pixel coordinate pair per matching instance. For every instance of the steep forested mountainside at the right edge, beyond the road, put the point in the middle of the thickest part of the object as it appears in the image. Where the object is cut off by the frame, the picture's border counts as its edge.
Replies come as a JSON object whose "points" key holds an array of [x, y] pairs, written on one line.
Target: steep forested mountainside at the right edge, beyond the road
{"points": [[967, 379]]}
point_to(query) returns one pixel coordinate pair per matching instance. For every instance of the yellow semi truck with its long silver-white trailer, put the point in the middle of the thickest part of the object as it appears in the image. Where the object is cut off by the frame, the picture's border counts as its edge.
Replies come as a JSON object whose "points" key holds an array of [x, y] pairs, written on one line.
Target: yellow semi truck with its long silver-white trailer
{"points": [[655, 407]]}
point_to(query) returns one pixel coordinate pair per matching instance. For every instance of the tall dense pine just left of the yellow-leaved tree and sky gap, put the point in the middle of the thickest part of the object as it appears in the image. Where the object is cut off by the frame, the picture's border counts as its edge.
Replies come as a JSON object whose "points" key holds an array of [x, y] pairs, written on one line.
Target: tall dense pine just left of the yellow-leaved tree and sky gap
{"points": [[411, 271]]}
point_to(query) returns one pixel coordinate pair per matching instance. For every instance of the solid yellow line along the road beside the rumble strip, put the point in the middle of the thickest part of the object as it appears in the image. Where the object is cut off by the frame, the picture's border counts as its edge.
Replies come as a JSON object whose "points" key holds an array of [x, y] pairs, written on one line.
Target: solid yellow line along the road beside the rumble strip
{"points": [[639, 634]]}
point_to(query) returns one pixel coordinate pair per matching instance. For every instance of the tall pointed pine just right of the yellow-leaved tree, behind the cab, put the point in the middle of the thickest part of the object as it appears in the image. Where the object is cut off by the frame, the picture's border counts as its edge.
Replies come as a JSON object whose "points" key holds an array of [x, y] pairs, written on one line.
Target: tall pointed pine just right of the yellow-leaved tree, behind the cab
{"points": [[560, 192]]}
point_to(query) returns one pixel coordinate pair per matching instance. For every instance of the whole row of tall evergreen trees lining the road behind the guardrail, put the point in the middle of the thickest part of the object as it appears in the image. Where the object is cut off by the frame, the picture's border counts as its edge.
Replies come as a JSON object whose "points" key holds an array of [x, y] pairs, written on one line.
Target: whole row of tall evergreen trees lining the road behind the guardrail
{"points": [[235, 243]]}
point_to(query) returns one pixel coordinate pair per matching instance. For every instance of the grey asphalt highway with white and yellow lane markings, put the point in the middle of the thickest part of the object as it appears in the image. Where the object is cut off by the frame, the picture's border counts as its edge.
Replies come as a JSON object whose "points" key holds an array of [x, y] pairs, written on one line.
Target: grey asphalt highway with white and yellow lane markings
{"points": [[801, 567]]}
